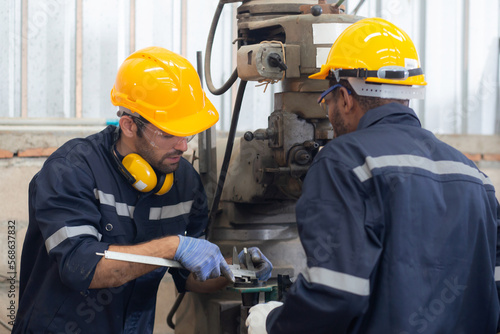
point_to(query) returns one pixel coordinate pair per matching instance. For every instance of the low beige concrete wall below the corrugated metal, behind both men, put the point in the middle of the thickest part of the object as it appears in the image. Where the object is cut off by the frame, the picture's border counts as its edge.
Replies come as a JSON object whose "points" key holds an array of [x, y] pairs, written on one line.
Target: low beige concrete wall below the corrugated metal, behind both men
{"points": [[24, 151]]}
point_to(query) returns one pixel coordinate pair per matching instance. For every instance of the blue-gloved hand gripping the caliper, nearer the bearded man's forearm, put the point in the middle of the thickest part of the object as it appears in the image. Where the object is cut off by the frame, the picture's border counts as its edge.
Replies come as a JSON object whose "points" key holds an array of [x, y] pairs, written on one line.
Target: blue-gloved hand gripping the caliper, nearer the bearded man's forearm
{"points": [[202, 258]]}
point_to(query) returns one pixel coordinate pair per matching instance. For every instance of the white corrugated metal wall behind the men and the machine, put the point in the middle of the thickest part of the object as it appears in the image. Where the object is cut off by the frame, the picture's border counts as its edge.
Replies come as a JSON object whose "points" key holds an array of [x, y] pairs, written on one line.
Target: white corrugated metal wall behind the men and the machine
{"points": [[59, 57]]}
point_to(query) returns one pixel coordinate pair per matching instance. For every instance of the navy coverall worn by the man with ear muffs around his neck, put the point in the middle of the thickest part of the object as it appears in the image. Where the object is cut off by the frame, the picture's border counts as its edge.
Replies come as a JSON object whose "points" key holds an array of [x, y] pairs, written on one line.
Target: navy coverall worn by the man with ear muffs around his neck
{"points": [[79, 205]]}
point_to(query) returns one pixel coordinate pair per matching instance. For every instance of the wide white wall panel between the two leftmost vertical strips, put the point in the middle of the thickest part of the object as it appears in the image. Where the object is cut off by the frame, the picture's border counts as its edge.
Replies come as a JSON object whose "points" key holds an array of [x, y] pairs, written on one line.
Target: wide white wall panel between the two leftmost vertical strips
{"points": [[51, 58]]}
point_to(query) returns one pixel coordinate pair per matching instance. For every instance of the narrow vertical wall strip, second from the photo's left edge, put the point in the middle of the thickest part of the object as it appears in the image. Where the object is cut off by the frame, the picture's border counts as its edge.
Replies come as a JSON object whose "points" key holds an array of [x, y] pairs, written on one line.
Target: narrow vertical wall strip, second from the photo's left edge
{"points": [[79, 60]]}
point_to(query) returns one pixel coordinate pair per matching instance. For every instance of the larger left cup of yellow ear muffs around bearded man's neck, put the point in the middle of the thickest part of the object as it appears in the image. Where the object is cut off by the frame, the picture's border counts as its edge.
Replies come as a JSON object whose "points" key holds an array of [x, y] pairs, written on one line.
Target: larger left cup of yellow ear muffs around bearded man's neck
{"points": [[143, 173]]}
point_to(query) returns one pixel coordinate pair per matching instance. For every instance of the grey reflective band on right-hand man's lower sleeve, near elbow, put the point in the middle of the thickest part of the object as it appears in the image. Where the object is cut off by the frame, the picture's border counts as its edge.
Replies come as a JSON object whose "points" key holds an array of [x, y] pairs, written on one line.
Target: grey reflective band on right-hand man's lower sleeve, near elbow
{"points": [[340, 281]]}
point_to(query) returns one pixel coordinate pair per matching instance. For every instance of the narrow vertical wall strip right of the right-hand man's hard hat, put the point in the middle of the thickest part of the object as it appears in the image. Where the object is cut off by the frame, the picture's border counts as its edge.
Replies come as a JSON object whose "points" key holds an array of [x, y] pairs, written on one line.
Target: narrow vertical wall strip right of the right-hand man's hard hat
{"points": [[465, 66]]}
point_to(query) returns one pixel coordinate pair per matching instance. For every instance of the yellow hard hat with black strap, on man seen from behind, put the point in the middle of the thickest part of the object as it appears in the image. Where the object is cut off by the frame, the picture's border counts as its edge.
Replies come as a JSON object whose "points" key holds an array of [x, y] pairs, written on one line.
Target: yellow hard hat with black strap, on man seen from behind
{"points": [[374, 50]]}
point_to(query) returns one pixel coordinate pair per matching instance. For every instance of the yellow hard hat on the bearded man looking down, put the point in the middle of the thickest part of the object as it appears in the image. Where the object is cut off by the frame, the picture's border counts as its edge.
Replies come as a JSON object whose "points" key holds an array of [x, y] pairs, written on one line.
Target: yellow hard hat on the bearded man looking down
{"points": [[164, 88]]}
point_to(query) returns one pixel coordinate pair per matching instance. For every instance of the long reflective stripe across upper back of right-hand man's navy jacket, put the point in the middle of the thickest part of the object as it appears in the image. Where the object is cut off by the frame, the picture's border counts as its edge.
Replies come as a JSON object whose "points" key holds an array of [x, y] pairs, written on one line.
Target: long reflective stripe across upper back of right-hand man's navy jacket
{"points": [[364, 172]]}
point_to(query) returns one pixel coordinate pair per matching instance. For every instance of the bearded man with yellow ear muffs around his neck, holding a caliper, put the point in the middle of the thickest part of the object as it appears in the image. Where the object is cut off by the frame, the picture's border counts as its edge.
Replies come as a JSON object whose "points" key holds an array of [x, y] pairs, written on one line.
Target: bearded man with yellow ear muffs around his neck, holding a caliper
{"points": [[126, 189]]}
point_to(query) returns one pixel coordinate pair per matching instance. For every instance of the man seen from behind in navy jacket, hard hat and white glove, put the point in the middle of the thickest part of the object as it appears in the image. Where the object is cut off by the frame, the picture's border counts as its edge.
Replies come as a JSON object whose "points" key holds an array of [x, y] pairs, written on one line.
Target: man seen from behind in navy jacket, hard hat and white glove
{"points": [[400, 230]]}
